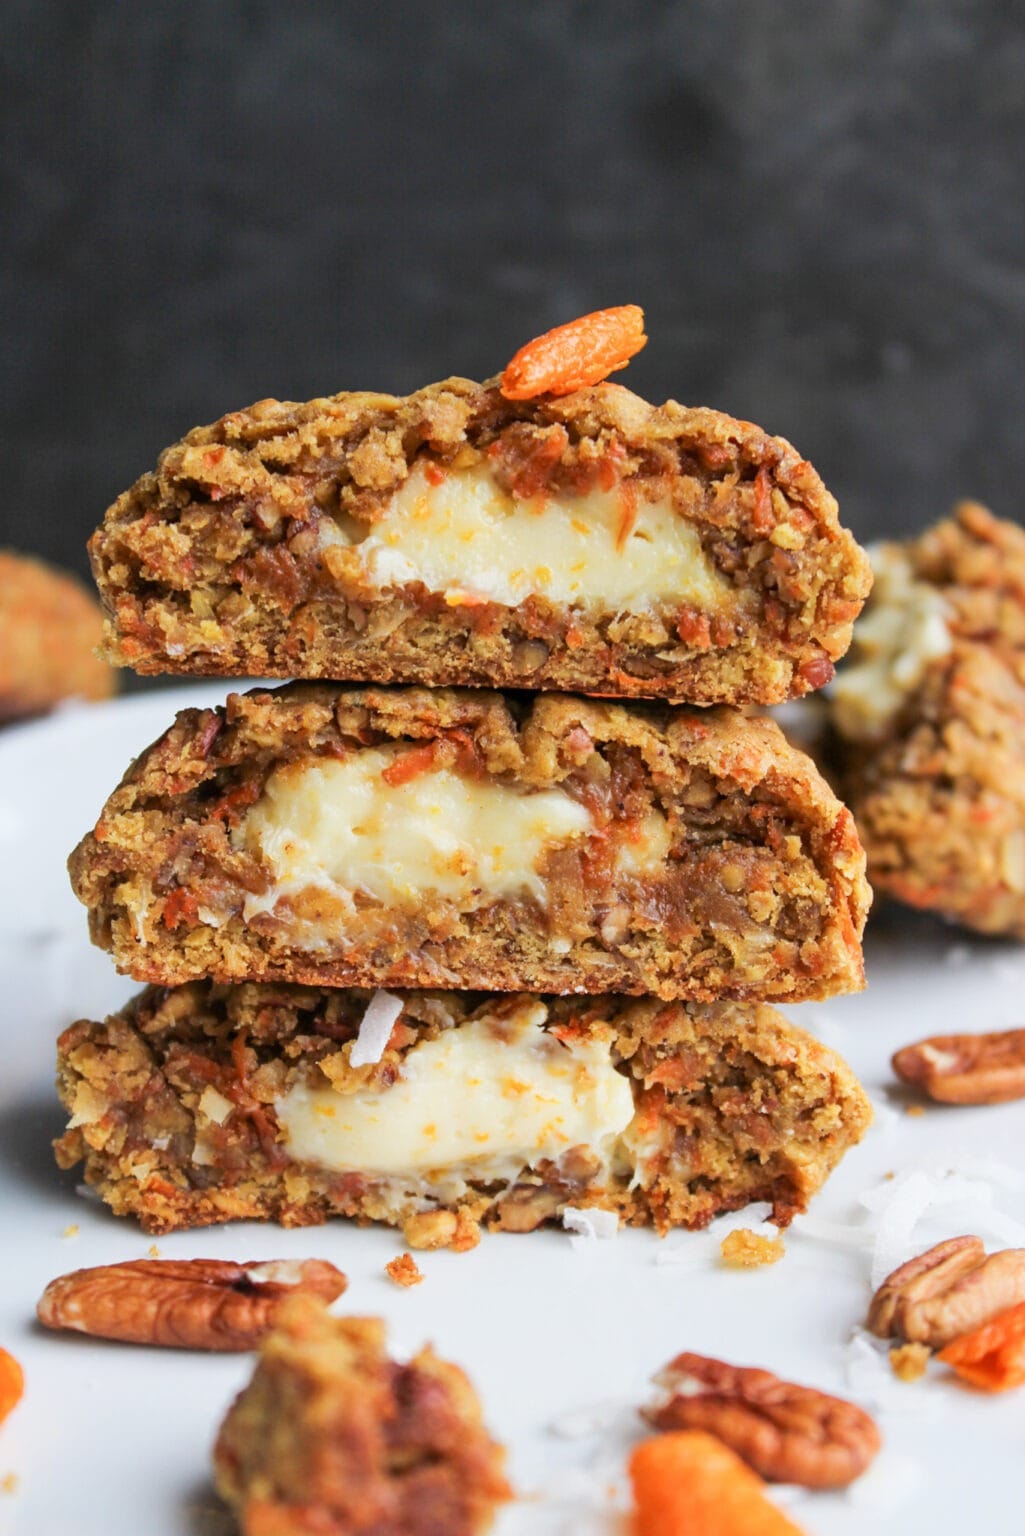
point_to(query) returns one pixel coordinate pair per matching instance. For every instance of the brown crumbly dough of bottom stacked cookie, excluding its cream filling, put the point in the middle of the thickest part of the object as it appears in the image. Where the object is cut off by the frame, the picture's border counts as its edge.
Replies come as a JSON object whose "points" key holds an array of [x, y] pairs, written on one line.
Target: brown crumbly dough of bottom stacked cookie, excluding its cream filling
{"points": [[755, 1111]]}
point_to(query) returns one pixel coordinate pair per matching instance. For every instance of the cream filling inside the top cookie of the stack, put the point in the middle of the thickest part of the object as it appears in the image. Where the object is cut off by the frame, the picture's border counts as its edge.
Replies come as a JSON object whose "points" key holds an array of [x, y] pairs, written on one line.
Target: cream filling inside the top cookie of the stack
{"points": [[471, 540]]}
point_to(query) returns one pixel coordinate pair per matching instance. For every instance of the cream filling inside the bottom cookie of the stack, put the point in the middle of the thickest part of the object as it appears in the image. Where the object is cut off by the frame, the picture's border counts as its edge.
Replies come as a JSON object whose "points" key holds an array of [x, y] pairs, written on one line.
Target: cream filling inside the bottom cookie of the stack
{"points": [[482, 1101]]}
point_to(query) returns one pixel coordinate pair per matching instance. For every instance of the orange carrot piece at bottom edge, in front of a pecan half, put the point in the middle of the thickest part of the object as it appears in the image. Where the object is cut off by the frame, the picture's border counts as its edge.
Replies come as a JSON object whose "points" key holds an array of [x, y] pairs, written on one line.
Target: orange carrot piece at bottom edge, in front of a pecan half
{"points": [[691, 1485]]}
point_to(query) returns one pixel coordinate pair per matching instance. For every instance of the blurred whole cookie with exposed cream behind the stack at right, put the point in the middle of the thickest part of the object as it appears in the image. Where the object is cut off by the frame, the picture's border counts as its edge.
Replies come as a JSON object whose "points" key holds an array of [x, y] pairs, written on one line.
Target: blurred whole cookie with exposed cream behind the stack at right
{"points": [[929, 718]]}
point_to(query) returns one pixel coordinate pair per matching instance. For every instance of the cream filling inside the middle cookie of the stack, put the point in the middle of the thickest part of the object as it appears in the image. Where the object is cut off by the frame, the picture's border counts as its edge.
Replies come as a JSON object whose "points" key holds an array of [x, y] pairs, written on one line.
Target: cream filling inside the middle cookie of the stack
{"points": [[343, 827]]}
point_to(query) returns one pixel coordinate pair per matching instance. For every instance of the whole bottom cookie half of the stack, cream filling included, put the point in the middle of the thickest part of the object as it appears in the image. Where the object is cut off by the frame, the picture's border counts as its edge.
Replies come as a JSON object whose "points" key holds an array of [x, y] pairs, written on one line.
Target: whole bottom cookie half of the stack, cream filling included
{"points": [[443, 1111]]}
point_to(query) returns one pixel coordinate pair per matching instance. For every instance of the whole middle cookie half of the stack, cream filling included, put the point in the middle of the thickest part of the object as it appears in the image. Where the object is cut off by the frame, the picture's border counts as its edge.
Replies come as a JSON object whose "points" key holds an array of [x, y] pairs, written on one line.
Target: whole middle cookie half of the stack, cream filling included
{"points": [[414, 838]]}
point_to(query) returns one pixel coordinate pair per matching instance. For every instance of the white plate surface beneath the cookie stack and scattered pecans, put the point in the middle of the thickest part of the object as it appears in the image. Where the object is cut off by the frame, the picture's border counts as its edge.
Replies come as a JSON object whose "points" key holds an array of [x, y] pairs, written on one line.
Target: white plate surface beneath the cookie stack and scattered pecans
{"points": [[556, 1334]]}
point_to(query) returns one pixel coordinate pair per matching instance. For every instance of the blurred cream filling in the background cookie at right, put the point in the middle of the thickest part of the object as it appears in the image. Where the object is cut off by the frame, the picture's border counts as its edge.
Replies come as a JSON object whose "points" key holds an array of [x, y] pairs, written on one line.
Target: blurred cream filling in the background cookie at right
{"points": [[903, 631]]}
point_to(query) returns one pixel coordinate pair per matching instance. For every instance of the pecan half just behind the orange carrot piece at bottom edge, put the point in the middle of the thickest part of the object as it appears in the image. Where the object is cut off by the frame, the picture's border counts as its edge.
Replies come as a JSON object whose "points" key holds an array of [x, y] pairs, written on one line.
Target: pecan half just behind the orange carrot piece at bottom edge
{"points": [[785, 1432]]}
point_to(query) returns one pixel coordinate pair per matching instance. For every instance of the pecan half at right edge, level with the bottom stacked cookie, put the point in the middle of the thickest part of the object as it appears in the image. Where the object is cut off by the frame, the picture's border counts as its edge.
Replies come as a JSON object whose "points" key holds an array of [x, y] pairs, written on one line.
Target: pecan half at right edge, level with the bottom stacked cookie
{"points": [[966, 1070]]}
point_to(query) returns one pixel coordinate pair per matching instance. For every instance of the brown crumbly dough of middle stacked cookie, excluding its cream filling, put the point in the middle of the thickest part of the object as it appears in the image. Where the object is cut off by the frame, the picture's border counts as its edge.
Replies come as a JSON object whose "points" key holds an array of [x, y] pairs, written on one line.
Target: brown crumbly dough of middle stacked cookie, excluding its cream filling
{"points": [[763, 898]]}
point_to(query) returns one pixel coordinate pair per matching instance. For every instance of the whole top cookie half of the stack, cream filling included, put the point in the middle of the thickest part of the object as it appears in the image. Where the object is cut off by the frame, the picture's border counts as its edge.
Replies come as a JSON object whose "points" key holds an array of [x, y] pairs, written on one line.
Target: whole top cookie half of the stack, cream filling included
{"points": [[591, 543]]}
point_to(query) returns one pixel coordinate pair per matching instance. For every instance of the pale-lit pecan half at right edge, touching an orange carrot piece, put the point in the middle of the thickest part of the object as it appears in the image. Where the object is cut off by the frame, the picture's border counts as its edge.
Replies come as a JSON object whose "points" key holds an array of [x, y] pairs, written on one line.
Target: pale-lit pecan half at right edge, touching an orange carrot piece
{"points": [[947, 1291]]}
